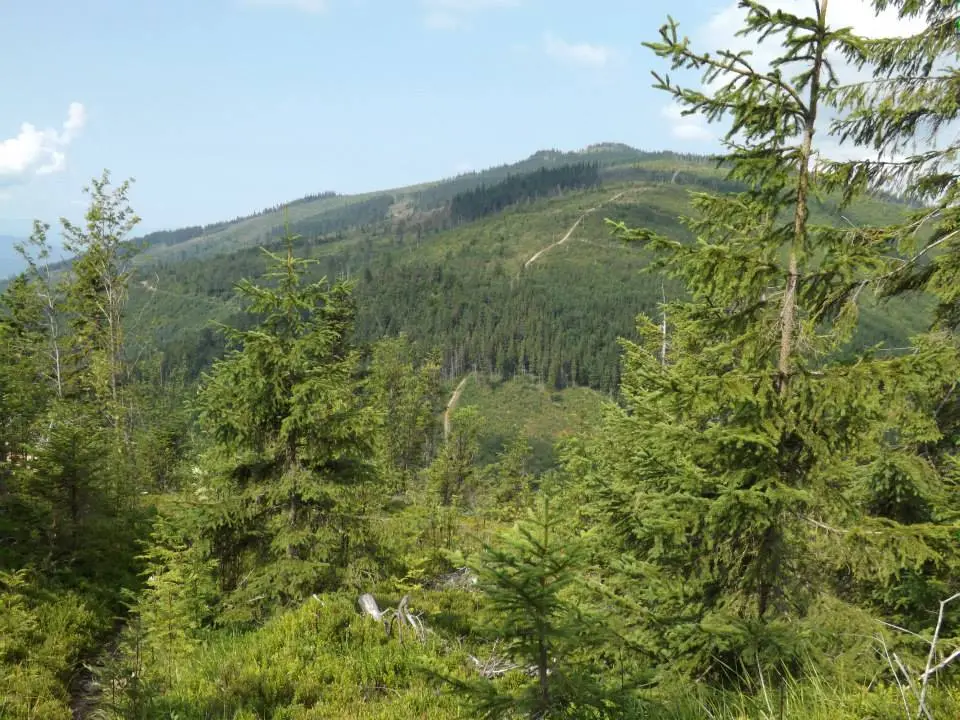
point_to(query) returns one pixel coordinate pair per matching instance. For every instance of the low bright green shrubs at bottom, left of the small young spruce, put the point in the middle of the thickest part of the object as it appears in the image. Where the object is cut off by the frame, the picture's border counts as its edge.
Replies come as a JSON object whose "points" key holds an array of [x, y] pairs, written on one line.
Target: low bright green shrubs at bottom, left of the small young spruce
{"points": [[321, 660]]}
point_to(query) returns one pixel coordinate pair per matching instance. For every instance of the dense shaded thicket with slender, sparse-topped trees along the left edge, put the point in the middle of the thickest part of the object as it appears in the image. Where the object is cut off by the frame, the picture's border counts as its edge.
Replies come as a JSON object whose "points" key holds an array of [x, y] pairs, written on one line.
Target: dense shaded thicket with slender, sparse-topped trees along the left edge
{"points": [[78, 446]]}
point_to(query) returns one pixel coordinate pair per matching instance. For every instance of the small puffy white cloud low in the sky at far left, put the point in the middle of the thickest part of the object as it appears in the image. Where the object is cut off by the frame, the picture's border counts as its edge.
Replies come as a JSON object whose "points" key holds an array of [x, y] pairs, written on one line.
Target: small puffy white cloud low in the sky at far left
{"points": [[39, 152]]}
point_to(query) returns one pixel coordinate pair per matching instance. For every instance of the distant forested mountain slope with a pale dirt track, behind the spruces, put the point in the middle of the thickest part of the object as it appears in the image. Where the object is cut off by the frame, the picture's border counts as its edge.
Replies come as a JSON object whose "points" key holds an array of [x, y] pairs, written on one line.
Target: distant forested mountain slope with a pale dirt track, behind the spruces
{"points": [[472, 266]]}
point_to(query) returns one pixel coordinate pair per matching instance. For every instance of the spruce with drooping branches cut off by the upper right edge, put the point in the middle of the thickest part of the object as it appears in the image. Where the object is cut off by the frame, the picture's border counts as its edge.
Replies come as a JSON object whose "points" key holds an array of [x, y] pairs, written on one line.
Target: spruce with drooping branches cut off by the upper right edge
{"points": [[913, 96]]}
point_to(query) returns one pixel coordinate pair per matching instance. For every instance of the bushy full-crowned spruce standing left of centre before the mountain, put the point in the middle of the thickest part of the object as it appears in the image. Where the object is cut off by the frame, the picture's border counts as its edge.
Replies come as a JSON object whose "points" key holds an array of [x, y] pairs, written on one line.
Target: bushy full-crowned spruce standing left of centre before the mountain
{"points": [[292, 455]]}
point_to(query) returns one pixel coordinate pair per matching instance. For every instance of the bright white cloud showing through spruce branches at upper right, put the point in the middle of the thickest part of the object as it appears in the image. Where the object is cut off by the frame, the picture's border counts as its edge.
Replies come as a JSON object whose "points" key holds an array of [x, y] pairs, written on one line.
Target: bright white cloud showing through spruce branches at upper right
{"points": [[719, 32]]}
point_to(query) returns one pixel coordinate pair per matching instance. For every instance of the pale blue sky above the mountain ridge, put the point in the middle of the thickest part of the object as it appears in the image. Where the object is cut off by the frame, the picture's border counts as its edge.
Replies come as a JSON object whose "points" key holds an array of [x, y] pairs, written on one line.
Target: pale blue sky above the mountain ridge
{"points": [[218, 108]]}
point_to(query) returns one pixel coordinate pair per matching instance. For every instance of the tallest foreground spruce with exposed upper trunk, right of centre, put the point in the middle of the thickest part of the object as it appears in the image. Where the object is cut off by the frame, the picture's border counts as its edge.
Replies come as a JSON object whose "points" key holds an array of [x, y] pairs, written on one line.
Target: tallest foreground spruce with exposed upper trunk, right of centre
{"points": [[737, 481]]}
